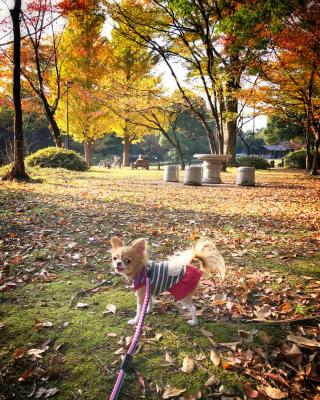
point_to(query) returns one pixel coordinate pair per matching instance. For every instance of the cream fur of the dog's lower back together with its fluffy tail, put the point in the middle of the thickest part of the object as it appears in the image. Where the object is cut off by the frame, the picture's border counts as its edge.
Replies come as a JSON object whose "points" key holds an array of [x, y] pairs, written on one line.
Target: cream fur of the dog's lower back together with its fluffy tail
{"points": [[206, 252]]}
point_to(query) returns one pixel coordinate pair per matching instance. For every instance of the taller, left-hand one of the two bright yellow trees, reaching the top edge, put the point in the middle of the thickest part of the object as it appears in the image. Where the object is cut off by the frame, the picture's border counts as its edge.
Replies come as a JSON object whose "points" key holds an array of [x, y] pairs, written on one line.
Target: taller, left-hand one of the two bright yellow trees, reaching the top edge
{"points": [[85, 67]]}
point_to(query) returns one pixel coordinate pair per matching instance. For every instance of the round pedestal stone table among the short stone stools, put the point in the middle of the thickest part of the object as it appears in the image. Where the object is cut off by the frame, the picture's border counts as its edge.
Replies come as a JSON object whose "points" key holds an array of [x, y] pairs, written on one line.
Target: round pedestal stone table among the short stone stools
{"points": [[212, 165]]}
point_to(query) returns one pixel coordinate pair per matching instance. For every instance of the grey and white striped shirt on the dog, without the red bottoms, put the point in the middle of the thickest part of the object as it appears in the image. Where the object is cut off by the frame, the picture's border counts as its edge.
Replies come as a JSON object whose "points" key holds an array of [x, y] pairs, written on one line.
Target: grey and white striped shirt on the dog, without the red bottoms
{"points": [[160, 279]]}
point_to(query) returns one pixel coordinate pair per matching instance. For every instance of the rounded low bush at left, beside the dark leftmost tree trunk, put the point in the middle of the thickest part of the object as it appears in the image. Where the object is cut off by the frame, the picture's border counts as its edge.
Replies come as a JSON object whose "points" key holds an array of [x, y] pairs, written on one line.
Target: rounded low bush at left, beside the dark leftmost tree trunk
{"points": [[55, 157]]}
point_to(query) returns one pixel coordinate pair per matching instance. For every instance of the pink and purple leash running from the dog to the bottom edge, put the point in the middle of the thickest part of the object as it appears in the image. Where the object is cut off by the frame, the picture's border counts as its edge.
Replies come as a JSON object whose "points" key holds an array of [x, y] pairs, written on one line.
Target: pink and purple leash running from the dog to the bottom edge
{"points": [[128, 357]]}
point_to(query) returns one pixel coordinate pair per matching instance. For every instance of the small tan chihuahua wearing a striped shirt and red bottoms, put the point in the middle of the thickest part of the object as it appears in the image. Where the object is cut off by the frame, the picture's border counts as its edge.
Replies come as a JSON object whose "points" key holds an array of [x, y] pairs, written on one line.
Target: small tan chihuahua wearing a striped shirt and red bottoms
{"points": [[175, 275]]}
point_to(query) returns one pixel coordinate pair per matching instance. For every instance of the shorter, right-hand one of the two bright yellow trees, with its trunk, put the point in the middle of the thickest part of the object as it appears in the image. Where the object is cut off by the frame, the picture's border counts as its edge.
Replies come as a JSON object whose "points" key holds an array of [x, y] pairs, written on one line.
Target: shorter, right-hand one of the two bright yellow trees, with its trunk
{"points": [[130, 85]]}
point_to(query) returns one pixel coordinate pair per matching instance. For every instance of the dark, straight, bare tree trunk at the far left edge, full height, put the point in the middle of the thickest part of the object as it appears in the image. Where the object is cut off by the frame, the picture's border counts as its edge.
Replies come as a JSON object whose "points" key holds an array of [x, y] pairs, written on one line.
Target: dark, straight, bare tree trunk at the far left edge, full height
{"points": [[18, 169]]}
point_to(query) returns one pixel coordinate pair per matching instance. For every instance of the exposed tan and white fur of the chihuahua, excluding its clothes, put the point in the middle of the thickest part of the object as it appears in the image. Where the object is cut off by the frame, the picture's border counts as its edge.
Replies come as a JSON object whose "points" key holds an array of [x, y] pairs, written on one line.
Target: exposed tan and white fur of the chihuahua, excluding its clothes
{"points": [[130, 260]]}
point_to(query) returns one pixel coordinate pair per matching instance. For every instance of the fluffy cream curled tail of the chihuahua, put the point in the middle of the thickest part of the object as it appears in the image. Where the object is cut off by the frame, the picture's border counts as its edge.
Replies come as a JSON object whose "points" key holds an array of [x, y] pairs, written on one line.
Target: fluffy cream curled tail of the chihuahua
{"points": [[211, 260]]}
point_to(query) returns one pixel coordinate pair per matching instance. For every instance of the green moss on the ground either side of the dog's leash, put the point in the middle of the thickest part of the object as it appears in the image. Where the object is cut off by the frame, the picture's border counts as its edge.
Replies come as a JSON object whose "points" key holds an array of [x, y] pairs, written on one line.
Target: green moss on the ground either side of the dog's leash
{"points": [[86, 351]]}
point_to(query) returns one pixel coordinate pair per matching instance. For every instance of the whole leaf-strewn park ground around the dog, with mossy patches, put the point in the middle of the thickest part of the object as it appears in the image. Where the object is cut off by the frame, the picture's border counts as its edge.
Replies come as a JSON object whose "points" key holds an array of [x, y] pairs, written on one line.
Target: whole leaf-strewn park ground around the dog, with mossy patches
{"points": [[258, 335]]}
